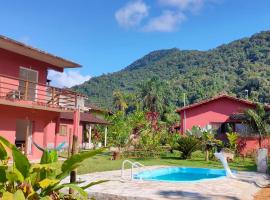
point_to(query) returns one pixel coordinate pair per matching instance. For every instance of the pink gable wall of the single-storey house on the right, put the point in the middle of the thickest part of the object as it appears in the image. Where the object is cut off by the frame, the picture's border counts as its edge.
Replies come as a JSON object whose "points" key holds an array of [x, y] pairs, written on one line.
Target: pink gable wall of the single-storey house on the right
{"points": [[217, 111]]}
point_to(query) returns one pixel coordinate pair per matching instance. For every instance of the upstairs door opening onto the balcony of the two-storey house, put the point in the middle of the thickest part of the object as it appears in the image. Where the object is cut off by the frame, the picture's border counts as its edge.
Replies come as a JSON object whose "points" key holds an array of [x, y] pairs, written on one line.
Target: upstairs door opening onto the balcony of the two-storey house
{"points": [[28, 83]]}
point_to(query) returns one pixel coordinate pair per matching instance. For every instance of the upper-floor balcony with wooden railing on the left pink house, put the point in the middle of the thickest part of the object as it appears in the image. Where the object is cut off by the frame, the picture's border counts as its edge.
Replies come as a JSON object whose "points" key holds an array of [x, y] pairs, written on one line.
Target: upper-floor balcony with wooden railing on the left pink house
{"points": [[22, 93]]}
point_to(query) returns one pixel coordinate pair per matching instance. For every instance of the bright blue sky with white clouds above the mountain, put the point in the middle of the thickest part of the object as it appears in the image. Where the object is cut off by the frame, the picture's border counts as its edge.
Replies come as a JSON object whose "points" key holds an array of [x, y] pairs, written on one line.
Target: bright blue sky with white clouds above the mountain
{"points": [[105, 36]]}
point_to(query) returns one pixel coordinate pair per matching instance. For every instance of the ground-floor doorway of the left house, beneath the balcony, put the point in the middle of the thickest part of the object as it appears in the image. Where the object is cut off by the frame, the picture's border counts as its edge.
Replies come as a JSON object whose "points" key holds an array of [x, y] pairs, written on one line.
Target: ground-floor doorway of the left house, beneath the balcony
{"points": [[23, 140]]}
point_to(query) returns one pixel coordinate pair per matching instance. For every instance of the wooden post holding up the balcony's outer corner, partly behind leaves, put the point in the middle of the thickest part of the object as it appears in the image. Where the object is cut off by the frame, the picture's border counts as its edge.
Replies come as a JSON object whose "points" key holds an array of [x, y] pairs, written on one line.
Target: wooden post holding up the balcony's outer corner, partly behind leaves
{"points": [[74, 150]]}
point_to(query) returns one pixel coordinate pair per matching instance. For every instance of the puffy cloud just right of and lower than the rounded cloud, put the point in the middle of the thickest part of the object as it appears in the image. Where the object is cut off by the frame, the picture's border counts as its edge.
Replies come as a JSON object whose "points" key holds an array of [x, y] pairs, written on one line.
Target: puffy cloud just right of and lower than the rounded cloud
{"points": [[168, 21]]}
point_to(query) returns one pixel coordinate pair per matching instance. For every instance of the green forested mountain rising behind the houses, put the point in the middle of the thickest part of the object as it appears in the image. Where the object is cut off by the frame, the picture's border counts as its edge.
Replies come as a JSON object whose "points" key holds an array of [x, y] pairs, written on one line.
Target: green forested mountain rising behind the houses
{"points": [[233, 68]]}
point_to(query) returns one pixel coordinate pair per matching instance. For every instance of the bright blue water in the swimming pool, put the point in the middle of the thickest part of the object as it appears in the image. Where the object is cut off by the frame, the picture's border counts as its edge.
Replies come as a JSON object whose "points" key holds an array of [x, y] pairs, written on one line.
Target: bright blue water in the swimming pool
{"points": [[180, 174]]}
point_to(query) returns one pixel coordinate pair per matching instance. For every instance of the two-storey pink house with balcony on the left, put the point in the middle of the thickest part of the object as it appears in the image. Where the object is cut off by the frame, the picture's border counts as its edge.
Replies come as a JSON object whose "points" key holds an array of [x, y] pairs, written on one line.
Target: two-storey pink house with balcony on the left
{"points": [[30, 108]]}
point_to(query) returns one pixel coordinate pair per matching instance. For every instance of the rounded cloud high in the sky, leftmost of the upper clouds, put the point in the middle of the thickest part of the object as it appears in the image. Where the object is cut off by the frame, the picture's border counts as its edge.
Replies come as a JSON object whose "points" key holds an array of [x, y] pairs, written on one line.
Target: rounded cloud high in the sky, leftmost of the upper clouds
{"points": [[132, 14]]}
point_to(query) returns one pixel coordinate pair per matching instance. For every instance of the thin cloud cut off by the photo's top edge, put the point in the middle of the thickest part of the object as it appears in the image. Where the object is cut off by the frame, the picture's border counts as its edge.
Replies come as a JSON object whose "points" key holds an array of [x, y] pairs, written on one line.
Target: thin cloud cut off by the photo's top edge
{"points": [[184, 5]]}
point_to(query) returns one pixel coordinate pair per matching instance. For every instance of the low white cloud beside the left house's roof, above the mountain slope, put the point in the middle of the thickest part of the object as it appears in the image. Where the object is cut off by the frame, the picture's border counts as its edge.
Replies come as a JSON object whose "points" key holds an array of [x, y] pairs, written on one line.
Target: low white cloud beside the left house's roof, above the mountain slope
{"points": [[67, 78]]}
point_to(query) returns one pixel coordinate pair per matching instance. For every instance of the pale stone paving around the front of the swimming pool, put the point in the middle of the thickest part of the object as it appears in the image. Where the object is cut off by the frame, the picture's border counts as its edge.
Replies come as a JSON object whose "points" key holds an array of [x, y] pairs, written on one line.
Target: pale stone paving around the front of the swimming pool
{"points": [[244, 187]]}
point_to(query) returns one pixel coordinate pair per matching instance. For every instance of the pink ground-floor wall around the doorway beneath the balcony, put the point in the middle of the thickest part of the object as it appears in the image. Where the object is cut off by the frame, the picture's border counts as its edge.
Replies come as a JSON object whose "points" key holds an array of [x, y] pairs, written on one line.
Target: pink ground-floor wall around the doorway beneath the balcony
{"points": [[40, 119]]}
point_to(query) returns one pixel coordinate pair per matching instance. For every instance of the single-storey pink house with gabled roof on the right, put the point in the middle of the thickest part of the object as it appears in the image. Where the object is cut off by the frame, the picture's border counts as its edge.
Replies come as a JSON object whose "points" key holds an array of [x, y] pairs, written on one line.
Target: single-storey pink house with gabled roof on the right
{"points": [[217, 113]]}
